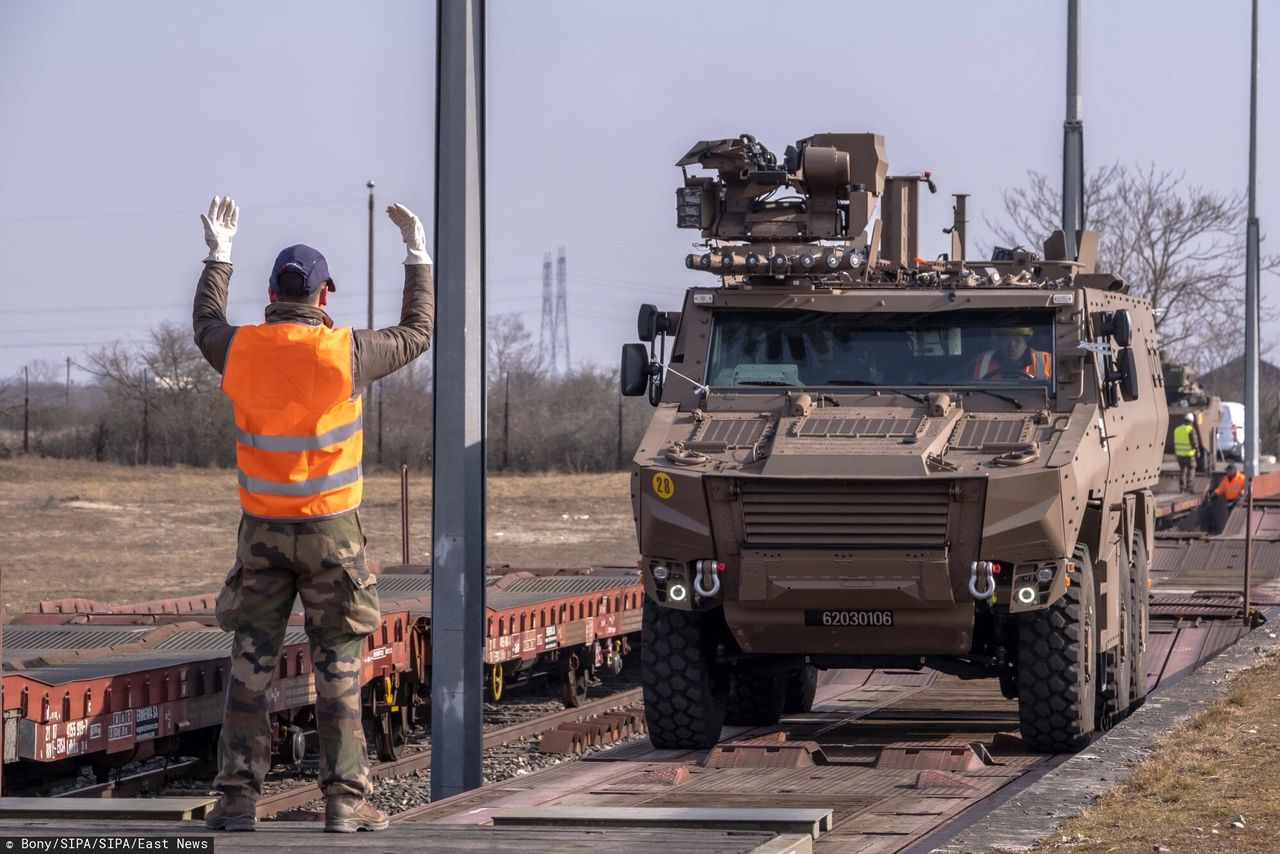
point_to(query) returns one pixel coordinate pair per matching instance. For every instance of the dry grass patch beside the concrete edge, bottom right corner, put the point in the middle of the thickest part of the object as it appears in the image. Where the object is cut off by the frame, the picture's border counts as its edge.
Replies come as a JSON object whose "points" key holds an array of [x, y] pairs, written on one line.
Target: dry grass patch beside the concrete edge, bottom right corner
{"points": [[1203, 775]]}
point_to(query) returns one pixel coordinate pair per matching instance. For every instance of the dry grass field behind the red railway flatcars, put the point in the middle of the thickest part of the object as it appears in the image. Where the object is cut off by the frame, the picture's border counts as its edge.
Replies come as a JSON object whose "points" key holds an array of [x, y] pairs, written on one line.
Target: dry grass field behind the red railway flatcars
{"points": [[126, 535]]}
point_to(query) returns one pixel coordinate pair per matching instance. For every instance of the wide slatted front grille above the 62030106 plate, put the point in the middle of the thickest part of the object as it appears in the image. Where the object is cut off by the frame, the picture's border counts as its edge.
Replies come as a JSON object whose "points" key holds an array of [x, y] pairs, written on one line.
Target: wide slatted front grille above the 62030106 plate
{"points": [[816, 514]]}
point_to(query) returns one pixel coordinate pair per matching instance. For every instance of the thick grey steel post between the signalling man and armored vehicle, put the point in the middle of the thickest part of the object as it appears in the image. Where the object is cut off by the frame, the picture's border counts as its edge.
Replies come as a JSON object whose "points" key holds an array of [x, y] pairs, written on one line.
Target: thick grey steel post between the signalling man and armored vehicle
{"points": [[458, 506]]}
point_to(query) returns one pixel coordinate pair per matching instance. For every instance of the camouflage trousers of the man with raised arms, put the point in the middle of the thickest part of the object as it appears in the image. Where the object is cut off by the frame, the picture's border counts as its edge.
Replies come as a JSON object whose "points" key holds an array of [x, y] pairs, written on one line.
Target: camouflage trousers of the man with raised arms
{"points": [[322, 561]]}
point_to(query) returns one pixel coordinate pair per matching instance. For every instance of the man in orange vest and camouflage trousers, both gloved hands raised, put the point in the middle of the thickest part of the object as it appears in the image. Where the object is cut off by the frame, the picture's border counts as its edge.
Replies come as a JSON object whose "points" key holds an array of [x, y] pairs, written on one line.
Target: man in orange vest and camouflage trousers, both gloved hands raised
{"points": [[295, 385]]}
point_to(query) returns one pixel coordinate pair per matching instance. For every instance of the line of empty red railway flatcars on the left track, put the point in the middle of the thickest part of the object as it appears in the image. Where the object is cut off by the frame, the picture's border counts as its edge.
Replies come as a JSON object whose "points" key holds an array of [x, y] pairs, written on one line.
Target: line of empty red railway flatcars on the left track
{"points": [[88, 683]]}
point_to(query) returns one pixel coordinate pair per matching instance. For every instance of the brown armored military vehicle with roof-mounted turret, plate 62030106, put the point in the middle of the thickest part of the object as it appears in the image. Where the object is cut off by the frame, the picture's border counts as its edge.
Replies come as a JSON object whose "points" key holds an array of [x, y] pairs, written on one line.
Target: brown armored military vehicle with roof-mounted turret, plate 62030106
{"points": [[863, 459]]}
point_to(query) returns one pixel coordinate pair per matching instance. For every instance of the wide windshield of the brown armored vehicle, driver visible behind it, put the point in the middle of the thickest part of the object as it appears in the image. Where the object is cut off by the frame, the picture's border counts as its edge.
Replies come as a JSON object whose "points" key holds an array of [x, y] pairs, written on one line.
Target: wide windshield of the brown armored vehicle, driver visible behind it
{"points": [[761, 349]]}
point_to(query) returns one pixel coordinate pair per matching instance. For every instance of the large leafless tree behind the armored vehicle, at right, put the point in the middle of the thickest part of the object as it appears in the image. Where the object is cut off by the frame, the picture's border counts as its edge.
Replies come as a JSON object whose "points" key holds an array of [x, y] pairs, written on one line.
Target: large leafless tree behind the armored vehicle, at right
{"points": [[1178, 245]]}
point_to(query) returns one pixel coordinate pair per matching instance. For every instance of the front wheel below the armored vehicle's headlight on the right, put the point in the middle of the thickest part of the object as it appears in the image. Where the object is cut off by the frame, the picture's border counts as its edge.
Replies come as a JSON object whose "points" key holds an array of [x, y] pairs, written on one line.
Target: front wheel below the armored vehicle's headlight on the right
{"points": [[1057, 664]]}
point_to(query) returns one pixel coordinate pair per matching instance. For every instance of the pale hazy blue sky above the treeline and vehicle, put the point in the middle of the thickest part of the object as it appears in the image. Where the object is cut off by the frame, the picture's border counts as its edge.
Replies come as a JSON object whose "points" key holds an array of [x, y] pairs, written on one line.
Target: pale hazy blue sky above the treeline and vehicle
{"points": [[121, 121]]}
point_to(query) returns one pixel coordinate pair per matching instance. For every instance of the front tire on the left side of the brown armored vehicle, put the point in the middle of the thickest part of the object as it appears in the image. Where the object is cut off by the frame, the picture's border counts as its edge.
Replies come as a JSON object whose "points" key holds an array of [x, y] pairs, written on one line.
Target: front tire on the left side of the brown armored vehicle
{"points": [[684, 692]]}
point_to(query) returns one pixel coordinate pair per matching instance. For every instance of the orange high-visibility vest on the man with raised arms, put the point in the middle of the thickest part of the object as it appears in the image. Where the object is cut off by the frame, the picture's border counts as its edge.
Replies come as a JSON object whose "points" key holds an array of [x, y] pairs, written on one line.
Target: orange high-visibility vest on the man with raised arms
{"points": [[299, 436]]}
